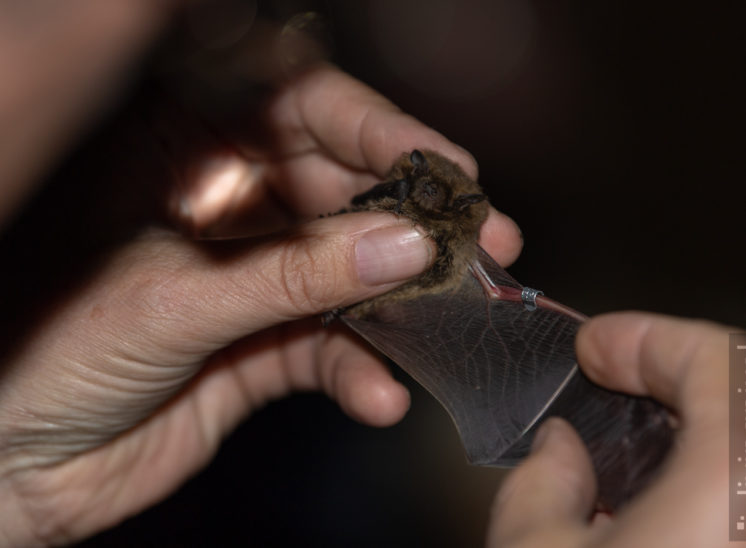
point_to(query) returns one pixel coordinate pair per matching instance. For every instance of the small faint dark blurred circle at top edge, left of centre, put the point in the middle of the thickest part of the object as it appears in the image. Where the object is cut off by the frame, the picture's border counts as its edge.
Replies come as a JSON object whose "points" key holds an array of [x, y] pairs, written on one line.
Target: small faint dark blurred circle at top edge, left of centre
{"points": [[220, 23]]}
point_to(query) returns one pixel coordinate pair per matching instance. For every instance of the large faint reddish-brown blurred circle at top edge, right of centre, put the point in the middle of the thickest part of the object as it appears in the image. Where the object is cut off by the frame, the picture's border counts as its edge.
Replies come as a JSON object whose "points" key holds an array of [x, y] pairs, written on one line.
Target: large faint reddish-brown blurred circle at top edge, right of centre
{"points": [[455, 50]]}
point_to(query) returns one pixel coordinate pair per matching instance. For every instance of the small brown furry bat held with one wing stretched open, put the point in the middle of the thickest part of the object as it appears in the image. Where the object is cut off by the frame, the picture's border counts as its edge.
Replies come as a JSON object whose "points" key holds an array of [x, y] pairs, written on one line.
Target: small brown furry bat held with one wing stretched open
{"points": [[498, 356]]}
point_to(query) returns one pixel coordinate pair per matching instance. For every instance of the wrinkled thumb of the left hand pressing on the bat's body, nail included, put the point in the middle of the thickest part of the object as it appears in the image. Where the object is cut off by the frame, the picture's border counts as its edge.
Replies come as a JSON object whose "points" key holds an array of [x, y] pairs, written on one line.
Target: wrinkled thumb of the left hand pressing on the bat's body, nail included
{"points": [[226, 291]]}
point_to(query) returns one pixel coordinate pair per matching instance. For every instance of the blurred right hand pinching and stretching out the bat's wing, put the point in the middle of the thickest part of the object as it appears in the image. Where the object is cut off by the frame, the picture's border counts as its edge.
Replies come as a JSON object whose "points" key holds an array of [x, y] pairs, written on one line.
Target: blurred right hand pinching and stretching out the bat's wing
{"points": [[549, 499]]}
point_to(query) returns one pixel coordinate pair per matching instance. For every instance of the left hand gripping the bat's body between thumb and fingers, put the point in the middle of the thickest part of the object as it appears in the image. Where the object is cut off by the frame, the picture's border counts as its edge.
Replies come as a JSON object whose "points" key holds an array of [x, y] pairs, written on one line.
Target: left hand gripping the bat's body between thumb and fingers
{"points": [[124, 389]]}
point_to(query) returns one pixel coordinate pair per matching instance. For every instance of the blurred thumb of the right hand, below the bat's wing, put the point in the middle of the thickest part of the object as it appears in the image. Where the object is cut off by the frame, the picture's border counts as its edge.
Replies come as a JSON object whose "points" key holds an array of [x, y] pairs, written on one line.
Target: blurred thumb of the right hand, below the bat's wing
{"points": [[550, 496]]}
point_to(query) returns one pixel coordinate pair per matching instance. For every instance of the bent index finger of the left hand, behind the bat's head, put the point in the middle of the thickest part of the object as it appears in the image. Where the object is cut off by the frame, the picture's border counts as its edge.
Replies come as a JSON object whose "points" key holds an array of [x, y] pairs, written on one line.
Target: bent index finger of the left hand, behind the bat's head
{"points": [[330, 110]]}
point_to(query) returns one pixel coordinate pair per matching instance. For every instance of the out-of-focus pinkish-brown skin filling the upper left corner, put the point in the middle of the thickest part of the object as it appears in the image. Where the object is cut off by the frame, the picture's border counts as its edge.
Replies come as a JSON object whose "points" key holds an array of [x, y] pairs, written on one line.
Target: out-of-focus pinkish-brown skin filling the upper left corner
{"points": [[78, 49]]}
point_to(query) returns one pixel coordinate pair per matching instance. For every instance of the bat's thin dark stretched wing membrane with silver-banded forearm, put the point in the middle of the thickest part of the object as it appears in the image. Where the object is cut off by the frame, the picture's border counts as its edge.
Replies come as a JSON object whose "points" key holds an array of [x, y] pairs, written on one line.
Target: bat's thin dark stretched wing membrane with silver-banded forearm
{"points": [[500, 366]]}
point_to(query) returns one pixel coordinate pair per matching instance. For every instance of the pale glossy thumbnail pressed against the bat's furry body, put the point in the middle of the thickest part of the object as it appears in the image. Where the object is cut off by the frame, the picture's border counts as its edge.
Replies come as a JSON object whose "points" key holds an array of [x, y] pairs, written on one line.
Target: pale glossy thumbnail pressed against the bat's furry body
{"points": [[392, 254]]}
